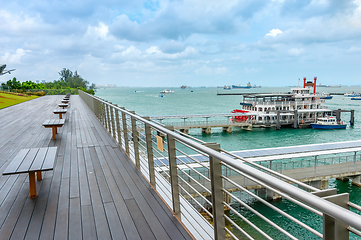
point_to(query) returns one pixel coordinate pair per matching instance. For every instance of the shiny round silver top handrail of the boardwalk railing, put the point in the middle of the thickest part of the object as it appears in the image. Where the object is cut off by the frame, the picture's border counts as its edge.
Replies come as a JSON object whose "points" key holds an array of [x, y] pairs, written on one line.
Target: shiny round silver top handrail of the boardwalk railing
{"points": [[328, 208]]}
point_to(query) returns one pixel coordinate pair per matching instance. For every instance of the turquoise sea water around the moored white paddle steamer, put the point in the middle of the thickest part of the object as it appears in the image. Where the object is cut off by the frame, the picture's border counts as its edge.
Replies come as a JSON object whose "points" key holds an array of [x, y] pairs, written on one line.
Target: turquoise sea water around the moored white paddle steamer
{"points": [[146, 102]]}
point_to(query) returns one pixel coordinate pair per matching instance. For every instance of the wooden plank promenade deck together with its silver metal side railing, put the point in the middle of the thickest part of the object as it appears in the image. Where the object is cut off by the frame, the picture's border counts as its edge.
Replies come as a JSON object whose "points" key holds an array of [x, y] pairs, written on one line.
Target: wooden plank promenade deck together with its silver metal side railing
{"points": [[106, 182]]}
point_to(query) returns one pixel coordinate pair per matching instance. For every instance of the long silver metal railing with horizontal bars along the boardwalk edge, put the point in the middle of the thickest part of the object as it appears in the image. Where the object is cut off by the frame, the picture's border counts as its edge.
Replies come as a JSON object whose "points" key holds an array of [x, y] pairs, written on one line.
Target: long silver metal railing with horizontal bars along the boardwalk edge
{"points": [[197, 181]]}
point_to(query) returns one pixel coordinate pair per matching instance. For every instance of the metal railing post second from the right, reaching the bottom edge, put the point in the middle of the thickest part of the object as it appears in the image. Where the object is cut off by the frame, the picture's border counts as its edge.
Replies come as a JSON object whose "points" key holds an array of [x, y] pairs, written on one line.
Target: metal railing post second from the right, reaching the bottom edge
{"points": [[217, 194]]}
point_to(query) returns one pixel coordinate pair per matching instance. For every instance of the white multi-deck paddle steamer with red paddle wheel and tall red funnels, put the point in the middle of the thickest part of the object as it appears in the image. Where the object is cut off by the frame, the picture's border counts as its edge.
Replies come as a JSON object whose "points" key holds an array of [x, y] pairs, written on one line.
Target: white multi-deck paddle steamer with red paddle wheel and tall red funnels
{"points": [[302, 104]]}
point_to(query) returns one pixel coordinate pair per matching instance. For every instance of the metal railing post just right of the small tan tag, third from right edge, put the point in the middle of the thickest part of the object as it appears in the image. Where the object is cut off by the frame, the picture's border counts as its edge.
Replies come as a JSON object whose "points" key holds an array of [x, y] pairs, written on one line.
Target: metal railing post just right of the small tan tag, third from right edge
{"points": [[173, 172]]}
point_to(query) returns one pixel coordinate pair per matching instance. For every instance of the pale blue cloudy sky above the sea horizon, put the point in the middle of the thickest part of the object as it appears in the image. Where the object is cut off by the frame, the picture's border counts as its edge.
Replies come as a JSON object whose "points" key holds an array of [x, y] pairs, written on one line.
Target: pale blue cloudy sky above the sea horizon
{"points": [[183, 42]]}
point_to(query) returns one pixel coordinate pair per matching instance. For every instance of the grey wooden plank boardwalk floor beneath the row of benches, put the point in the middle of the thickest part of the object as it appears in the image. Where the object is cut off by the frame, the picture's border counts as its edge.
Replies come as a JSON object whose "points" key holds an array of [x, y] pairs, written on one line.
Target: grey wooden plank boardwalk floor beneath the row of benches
{"points": [[94, 191]]}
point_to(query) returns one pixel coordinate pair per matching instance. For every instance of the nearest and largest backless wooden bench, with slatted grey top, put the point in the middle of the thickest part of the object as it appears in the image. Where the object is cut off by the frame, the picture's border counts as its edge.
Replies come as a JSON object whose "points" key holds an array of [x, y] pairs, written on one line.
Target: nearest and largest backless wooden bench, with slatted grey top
{"points": [[30, 161]]}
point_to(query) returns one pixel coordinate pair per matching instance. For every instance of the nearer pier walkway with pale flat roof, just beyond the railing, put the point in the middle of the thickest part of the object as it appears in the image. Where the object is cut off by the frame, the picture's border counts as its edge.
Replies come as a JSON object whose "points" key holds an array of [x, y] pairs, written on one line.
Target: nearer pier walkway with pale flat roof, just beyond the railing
{"points": [[311, 164]]}
